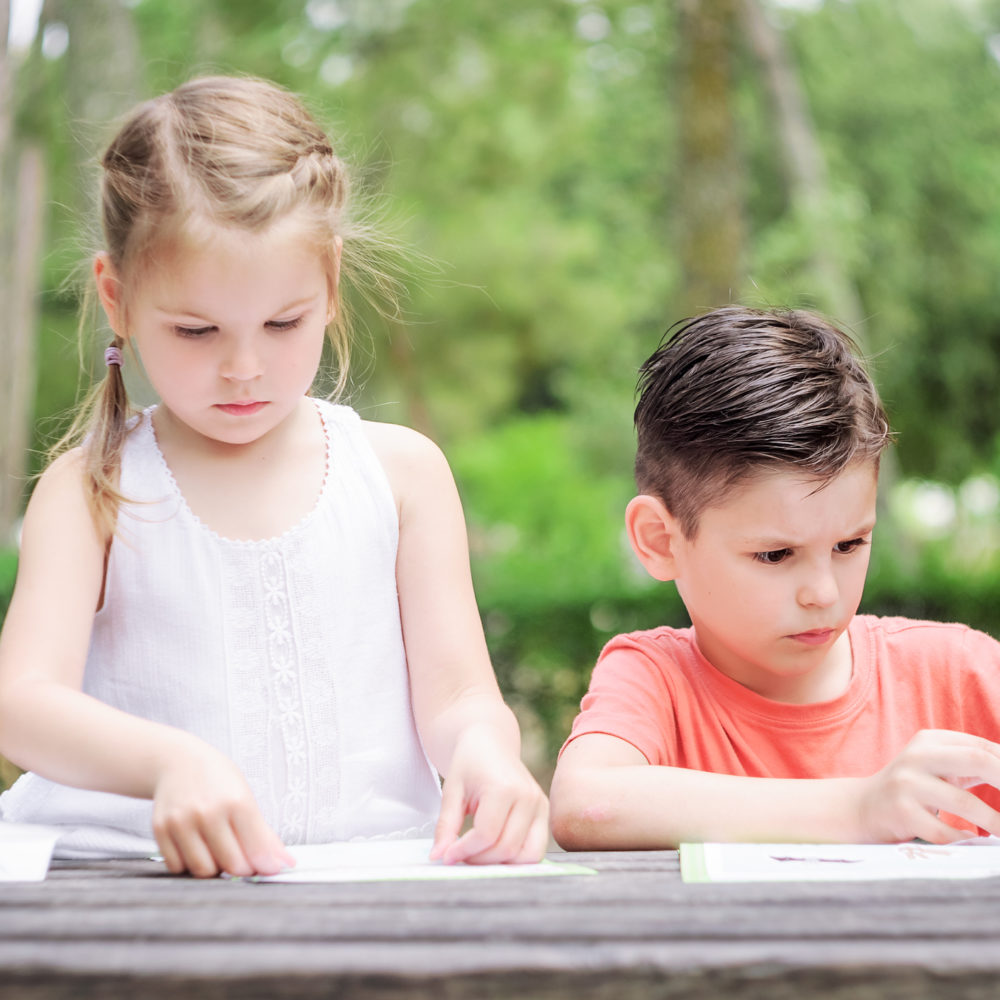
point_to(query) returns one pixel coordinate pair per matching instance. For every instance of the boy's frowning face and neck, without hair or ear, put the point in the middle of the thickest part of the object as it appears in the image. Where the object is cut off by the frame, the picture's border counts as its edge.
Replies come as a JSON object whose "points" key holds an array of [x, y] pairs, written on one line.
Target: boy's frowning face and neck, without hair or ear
{"points": [[774, 576]]}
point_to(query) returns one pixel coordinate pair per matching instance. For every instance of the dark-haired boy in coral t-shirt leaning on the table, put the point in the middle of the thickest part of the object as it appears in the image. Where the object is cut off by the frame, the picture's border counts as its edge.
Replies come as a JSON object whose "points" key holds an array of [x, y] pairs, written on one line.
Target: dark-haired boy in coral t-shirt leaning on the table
{"points": [[779, 715]]}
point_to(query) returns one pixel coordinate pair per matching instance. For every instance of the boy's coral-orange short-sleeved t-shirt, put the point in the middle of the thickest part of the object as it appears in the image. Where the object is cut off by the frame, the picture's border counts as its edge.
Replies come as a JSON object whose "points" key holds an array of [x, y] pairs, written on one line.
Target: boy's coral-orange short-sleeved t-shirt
{"points": [[656, 691]]}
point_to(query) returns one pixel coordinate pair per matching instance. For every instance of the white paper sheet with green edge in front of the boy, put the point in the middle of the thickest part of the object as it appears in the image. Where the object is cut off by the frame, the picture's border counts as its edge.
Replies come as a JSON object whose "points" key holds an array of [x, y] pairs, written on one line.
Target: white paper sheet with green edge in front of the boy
{"points": [[839, 862]]}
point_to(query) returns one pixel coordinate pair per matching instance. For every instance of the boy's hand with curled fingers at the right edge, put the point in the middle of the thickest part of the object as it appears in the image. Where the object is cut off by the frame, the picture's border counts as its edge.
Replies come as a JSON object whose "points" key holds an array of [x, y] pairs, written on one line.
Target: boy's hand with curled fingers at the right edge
{"points": [[931, 774]]}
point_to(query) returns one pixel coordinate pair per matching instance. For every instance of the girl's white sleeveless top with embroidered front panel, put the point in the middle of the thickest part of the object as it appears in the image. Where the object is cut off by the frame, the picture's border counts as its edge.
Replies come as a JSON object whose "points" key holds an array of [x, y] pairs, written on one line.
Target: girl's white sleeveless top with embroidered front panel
{"points": [[285, 654]]}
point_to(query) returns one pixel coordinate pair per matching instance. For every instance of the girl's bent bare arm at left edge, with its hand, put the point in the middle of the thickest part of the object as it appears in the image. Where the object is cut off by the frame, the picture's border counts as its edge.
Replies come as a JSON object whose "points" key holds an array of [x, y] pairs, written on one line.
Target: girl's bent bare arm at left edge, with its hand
{"points": [[204, 818]]}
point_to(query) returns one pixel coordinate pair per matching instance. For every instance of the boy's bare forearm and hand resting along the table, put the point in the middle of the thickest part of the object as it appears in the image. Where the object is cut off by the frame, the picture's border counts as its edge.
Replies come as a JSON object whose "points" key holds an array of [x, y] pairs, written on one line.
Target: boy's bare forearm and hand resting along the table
{"points": [[606, 796]]}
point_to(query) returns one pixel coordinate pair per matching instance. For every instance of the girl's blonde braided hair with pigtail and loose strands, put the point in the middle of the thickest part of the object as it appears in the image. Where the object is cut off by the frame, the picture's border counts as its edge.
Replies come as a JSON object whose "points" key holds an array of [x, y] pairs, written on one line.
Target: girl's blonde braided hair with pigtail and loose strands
{"points": [[217, 151]]}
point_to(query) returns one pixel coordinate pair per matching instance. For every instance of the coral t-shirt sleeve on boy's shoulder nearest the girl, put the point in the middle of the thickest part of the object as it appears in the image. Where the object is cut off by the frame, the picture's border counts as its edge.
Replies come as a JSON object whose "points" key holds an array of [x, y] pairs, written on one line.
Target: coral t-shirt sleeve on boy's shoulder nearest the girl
{"points": [[629, 697]]}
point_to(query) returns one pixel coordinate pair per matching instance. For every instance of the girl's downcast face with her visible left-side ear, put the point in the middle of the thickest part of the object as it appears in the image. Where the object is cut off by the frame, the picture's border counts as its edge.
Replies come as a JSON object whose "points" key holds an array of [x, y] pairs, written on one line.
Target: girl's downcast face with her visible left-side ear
{"points": [[230, 332]]}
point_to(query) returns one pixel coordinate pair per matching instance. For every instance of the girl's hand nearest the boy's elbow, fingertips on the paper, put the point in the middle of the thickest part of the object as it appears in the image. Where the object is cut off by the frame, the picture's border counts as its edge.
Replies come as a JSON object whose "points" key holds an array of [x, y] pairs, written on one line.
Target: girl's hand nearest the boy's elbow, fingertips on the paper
{"points": [[510, 812]]}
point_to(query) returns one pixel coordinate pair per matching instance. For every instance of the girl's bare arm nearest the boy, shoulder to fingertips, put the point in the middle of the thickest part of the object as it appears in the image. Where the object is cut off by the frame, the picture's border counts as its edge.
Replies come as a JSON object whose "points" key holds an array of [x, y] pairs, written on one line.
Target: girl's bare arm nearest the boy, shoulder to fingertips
{"points": [[470, 735]]}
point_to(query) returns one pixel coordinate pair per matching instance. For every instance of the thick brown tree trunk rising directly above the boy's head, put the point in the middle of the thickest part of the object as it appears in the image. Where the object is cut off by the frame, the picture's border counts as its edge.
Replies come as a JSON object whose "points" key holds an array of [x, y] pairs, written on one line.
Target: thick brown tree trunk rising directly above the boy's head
{"points": [[711, 226]]}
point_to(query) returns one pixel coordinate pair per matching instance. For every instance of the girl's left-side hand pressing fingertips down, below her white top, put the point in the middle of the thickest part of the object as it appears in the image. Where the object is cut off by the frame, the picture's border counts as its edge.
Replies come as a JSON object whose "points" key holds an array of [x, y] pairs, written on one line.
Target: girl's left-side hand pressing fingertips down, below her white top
{"points": [[206, 821]]}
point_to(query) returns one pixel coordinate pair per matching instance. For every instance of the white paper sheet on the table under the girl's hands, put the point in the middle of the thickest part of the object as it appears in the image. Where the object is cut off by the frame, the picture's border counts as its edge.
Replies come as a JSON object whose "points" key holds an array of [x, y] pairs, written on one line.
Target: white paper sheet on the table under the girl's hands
{"points": [[398, 860]]}
